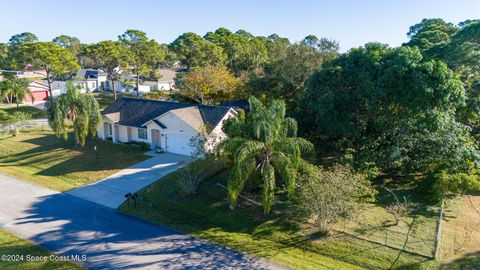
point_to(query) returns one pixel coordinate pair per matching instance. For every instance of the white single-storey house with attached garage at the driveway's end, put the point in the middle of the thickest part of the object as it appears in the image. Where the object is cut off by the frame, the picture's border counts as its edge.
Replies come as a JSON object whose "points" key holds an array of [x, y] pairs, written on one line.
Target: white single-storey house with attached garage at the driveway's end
{"points": [[168, 126]]}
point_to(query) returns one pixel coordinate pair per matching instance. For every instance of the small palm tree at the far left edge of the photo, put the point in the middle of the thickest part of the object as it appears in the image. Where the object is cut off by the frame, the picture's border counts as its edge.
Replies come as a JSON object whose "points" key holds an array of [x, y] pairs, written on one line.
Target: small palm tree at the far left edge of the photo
{"points": [[15, 87]]}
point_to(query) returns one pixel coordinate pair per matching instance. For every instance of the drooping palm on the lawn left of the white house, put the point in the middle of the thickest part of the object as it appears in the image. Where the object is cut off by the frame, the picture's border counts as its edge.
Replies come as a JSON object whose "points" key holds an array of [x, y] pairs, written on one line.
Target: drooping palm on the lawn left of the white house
{"points": [[81, 110]]}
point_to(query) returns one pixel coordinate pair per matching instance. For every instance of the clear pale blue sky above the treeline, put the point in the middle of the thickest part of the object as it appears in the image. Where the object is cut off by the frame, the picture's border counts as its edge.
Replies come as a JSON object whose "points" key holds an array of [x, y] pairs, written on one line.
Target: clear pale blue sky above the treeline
{"points": [[352, 23]]}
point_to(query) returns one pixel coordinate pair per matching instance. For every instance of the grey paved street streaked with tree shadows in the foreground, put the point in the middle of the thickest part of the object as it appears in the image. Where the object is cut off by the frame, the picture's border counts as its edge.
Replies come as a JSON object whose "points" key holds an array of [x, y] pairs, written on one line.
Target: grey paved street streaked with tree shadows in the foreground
{"points": [[71, 226]]}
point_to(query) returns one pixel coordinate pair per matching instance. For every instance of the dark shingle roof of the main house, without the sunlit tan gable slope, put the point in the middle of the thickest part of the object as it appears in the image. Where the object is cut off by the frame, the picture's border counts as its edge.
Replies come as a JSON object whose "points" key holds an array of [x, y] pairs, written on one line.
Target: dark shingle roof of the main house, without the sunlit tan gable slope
{"points": [[136, 112]]}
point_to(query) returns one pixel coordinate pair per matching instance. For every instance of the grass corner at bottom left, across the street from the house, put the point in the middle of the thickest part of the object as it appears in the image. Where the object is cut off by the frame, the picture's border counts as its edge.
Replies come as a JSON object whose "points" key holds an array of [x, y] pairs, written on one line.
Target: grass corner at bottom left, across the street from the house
{"points": [[12, 245]]}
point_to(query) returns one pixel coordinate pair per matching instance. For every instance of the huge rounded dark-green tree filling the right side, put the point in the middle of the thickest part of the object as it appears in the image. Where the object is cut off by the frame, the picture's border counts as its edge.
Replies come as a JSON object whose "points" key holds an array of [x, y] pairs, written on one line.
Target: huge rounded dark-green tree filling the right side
{"points": [[393, 108]]}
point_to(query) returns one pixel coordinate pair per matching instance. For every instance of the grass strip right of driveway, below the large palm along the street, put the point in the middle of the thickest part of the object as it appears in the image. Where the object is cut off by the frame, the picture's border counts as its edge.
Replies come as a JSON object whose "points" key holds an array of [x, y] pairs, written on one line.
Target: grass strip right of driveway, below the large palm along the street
{"points": [[206, 215]]}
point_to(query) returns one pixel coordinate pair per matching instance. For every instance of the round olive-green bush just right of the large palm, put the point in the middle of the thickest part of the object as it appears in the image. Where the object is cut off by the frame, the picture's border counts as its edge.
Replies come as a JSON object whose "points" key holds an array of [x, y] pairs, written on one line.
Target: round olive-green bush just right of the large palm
{"points": [[324, 196]]}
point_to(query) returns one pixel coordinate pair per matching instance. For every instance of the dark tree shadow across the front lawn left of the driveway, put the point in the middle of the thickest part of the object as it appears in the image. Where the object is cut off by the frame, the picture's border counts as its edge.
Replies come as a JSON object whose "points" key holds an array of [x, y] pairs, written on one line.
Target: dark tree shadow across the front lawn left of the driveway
{"points": [[82, 159]]}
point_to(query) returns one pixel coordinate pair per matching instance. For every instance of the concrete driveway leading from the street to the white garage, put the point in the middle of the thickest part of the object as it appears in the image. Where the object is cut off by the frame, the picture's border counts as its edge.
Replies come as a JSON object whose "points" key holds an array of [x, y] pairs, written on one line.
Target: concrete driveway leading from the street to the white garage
{"points": [[110, 192]]}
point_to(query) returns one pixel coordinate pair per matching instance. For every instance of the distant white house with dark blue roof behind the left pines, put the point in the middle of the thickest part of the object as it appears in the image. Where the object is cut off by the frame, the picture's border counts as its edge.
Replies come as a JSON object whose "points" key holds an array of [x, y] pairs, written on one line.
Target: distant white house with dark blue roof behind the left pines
{"points": [[91, 80]]}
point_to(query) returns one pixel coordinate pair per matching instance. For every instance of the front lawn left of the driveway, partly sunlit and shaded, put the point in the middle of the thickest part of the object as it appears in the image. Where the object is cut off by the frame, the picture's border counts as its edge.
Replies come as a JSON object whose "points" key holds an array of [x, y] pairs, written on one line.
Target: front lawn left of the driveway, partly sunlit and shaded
{"points": [[38, 156]]}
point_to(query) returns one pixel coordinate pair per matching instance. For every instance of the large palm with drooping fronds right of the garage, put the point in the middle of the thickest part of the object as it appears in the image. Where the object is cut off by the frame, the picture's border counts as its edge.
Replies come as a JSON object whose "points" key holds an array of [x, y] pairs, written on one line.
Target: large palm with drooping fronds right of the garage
{"points": [[264, 142]]}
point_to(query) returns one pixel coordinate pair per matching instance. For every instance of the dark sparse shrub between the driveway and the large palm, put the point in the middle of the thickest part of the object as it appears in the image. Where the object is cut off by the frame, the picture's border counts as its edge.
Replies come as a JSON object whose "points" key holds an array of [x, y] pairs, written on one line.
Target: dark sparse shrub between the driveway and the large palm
{"points": [[192, 175]]}
